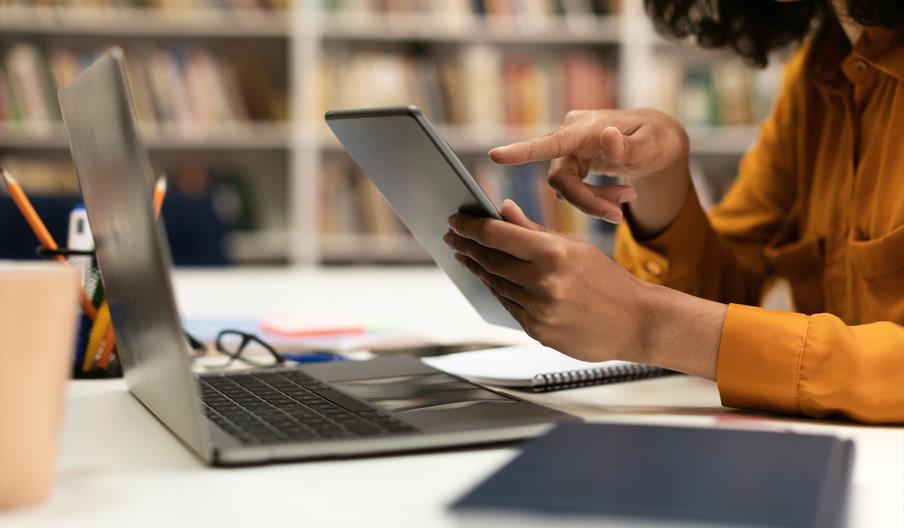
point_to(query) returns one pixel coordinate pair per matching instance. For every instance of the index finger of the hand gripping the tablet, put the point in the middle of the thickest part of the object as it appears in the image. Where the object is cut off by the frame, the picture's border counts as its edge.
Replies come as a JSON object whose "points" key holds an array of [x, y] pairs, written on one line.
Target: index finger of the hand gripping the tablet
{"points": [[503, 236]]}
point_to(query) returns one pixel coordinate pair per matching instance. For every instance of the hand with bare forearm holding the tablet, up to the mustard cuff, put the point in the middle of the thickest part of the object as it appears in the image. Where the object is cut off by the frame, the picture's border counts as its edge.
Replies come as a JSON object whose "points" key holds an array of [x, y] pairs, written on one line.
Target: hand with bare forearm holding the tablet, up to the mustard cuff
{"points": [[570, 296]]}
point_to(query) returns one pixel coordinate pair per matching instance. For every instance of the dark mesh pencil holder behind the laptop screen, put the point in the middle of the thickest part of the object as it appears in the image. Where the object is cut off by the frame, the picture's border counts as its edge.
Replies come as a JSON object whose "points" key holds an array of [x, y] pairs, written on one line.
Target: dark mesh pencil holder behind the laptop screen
{"points": [[95, 350]]}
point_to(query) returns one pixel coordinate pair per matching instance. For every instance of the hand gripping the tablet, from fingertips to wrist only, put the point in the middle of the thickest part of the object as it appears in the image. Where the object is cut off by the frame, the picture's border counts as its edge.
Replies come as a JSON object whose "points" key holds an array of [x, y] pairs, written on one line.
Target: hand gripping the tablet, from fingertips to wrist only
{"points": [[564, 292]]}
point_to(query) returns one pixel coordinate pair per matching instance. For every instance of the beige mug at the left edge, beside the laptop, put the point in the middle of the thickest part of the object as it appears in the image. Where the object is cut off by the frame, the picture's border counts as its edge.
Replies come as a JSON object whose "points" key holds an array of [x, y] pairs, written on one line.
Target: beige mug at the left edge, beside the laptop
{"points": [[38, 319]]}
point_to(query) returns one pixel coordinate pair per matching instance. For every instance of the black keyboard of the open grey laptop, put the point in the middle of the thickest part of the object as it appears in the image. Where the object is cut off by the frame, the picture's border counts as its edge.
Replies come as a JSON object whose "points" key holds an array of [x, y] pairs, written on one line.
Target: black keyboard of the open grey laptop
{"points": [[289, 406]]}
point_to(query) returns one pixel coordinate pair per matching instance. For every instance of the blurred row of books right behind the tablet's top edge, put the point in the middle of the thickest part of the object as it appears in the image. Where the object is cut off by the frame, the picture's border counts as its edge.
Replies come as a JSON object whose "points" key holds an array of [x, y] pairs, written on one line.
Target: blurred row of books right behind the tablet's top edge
{"points": [[475, 87]]}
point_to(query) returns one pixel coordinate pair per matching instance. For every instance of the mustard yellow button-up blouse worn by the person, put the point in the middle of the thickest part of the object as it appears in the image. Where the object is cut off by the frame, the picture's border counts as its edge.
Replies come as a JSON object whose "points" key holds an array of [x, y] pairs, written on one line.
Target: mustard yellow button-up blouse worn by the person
{"points": [[819, 201]]}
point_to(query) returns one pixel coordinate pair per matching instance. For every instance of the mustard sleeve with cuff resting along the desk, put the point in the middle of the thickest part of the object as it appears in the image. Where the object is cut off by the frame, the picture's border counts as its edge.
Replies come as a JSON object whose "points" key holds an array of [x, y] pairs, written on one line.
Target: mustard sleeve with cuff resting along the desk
{"points": [[814, 365]]}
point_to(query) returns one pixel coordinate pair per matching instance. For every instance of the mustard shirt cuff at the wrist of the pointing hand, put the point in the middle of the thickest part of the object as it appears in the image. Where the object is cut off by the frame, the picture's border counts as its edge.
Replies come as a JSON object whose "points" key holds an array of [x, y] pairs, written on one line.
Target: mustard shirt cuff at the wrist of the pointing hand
{"points": [[659, 259]]}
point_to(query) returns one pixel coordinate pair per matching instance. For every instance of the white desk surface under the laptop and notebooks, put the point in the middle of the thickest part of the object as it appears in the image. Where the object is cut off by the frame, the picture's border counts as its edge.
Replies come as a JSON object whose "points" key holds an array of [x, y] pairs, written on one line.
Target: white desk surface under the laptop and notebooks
{"points": [[119, 467]]}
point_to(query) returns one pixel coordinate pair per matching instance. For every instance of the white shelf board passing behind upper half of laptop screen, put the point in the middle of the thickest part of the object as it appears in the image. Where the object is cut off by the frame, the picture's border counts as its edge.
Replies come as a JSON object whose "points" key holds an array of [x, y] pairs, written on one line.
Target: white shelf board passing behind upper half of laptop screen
{"points": [[171, 137]]}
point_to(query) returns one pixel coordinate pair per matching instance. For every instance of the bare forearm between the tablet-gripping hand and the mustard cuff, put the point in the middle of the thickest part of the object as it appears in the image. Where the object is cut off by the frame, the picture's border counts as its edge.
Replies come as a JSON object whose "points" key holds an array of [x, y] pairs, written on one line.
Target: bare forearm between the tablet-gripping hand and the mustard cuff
{"points": [[680, 332]]}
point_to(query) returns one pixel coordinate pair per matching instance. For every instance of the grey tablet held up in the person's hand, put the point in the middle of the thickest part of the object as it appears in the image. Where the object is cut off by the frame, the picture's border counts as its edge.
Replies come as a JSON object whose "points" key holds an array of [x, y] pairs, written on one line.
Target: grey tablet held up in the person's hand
{"points": [[424, 182]]}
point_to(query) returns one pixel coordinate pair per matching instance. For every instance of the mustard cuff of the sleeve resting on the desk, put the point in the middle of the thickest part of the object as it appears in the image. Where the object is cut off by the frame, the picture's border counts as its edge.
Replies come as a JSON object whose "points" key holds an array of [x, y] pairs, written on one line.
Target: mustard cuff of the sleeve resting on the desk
{"points": [[759, 358]]}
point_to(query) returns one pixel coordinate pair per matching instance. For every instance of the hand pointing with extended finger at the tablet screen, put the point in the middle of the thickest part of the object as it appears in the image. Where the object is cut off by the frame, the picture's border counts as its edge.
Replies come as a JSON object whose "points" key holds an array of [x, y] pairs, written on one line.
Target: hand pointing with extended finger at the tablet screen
{"points": [[647, 148]]}
